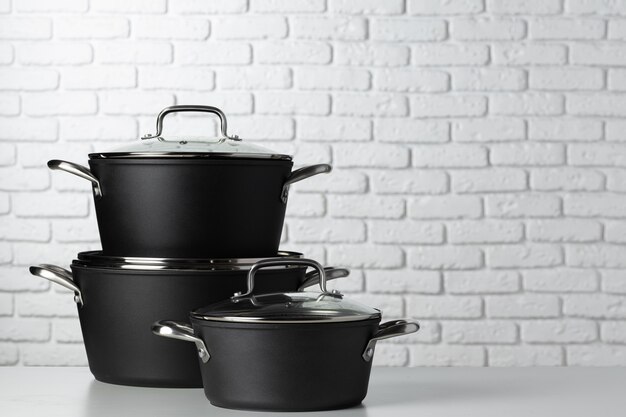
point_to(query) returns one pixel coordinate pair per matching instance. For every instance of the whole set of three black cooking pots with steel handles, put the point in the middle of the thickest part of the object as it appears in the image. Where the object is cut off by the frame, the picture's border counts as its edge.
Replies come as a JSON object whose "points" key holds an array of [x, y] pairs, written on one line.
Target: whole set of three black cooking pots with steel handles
{"points": [[190, 230]]}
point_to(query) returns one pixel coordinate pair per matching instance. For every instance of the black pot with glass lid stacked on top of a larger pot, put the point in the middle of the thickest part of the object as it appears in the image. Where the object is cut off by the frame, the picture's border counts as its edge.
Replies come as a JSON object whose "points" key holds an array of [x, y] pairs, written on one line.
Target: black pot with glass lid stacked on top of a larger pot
{"points": [[190, 199]]}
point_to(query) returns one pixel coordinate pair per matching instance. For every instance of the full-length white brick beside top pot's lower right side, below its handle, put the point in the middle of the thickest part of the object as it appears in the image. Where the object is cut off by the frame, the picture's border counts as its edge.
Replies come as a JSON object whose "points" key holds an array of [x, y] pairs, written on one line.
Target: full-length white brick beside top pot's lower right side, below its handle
{"points": [[327, 231]]}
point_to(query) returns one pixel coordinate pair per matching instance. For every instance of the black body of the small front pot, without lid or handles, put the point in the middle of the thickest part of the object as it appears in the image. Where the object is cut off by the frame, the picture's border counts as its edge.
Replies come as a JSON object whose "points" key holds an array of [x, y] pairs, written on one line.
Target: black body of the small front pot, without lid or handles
{"points": [[285, 367]]}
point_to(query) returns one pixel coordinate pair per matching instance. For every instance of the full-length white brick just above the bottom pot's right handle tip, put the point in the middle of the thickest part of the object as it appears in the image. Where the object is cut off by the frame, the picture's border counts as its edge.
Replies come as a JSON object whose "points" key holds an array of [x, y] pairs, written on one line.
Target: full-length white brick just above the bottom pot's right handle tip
{"points": [[366, 256]]}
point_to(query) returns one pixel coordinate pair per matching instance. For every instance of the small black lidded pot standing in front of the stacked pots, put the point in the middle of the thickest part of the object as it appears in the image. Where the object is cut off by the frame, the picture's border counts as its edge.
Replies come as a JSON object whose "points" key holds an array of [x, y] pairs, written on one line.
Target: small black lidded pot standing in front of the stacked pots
{"points": [[296, 351]]}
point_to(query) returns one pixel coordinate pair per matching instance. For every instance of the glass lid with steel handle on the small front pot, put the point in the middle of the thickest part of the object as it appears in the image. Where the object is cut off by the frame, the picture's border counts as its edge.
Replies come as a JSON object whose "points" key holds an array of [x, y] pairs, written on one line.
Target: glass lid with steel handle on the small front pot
{"points": [[296, 307]]}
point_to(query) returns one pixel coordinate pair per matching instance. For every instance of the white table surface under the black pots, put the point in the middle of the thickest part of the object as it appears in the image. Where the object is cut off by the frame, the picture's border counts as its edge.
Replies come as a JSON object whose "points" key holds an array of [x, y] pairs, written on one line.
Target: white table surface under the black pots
{"points": [[393, 392]]}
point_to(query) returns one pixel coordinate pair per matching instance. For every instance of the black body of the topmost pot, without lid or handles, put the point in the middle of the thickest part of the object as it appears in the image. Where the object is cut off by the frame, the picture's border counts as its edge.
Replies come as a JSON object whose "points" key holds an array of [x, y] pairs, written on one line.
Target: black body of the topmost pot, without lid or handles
{"points": [[190, 208]]}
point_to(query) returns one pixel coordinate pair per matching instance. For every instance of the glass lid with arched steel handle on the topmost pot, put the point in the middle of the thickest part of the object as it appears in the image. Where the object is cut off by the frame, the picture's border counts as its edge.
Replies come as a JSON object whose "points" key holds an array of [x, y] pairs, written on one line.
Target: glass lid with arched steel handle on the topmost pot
{"points": [[224, 146]]}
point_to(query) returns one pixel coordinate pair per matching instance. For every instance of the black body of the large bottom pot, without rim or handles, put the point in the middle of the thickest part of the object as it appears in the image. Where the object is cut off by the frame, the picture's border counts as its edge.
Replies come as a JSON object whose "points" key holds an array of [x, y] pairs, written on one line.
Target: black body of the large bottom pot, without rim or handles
{"points": [[121, 305]]}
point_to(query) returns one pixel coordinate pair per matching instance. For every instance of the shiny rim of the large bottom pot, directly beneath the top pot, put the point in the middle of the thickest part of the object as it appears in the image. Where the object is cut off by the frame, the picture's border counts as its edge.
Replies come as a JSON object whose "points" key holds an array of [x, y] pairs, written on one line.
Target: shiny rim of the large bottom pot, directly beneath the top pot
{"points": [[97, 259]]}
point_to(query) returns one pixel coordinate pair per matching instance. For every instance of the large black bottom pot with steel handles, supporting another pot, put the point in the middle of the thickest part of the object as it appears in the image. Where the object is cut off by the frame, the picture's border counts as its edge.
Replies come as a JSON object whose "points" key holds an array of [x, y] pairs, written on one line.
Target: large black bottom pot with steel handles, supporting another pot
{"points": [[118, 299]]}
